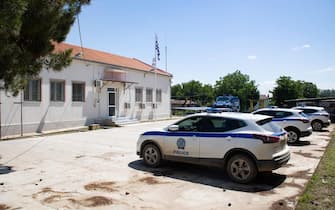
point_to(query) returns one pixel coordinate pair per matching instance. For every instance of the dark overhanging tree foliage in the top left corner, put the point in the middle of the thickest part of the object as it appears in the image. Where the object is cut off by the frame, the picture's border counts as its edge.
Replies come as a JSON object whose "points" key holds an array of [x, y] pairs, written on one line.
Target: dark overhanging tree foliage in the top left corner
{"points": [[28, 32]]}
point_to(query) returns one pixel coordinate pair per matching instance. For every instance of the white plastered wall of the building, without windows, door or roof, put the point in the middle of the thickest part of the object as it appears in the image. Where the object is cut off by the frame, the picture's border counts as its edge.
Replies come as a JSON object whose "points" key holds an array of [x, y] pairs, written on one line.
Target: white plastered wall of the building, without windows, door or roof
{"points": [[47, 115]]}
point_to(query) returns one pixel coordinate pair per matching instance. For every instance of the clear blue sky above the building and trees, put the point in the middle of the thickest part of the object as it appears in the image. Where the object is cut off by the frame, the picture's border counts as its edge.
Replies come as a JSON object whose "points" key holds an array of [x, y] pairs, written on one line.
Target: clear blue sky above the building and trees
{"points": [[206, 40]]}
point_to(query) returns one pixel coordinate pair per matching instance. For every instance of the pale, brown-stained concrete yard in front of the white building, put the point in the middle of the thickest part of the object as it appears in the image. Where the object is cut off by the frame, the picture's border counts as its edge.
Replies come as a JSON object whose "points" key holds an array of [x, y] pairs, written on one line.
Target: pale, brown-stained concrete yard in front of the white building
{"points": [[99, 169]]}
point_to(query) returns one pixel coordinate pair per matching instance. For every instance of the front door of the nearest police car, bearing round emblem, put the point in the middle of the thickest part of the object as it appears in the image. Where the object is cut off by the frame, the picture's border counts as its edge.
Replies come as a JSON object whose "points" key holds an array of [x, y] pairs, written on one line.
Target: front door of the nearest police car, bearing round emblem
{"points": [[184, 141]]}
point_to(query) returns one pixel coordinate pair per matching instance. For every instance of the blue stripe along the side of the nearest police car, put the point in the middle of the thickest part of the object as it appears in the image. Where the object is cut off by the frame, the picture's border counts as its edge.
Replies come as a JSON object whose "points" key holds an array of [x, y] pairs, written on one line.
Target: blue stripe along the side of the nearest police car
{"points": [[203, 134]]}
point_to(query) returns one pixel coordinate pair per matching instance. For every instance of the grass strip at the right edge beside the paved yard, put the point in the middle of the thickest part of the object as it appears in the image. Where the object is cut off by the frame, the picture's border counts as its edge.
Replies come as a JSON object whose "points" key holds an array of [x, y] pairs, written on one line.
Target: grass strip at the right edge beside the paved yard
{"points": [[320, 191]]}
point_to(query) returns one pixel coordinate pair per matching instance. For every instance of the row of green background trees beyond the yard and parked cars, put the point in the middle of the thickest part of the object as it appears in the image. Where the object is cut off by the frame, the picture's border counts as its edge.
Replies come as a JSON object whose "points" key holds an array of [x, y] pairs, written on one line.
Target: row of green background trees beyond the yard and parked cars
{"points": [[239, 84]]}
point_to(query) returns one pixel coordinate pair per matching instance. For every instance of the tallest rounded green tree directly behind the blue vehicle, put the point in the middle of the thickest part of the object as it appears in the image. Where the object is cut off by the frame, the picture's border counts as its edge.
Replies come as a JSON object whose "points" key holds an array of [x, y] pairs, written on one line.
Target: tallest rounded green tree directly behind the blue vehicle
{"points": [[237, 84]]}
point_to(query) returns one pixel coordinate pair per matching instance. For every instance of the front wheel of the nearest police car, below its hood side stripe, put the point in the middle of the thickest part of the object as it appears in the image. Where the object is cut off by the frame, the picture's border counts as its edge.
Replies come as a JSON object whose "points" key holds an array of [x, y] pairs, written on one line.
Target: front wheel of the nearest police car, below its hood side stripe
{"points": [[151, 155]]}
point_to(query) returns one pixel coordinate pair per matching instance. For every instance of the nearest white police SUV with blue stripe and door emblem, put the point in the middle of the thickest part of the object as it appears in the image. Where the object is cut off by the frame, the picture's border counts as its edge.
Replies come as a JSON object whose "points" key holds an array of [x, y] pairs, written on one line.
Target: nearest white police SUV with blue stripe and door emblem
{"points": [[243, 144]]}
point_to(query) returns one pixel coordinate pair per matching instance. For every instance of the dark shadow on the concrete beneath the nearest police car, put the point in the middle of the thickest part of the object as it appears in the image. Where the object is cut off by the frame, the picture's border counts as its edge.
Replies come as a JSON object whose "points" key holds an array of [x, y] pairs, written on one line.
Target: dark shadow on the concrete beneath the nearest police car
{"points": [[210, 176]]}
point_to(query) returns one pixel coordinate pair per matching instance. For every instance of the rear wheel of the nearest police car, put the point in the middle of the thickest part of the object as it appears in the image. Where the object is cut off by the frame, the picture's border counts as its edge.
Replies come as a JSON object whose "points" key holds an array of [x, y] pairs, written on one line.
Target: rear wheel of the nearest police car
{"points": [[241, 169]]}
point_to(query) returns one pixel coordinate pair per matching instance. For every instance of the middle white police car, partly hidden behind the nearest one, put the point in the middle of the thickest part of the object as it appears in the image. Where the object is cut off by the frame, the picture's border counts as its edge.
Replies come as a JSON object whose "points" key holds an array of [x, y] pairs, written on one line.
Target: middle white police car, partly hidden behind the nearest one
{"points": [[295, 122]]}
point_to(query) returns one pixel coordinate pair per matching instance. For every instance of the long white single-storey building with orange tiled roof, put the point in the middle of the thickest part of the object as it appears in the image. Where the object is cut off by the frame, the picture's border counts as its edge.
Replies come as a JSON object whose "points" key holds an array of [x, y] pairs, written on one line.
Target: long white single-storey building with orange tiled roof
{"points": [[95, 87]]}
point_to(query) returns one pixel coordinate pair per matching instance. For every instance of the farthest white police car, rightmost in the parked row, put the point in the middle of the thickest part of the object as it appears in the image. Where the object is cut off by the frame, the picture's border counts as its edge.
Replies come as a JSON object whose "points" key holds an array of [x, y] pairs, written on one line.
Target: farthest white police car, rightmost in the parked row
{"points": [[318, 115]]}
